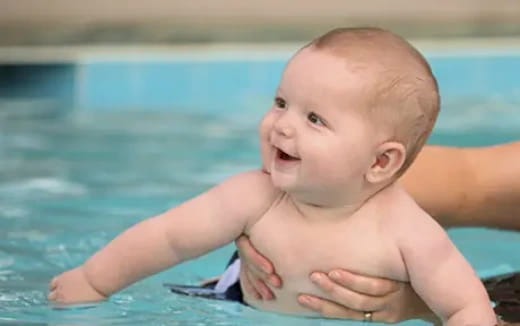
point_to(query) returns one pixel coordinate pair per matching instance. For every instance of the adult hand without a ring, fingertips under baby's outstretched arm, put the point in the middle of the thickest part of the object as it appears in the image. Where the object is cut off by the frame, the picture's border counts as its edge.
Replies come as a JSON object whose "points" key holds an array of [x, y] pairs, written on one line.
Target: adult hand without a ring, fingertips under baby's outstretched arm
{"points": [[257, 270]]}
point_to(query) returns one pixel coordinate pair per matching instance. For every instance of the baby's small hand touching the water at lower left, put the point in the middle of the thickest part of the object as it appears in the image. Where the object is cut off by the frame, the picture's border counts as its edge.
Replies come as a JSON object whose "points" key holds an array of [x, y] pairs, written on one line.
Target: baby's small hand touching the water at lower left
{"points": [[73, 287]]}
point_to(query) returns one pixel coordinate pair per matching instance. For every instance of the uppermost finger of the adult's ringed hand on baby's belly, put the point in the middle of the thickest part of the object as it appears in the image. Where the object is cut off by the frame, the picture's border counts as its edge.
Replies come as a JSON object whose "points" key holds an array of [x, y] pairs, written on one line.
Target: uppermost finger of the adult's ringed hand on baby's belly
{"points": [[367, 285]]}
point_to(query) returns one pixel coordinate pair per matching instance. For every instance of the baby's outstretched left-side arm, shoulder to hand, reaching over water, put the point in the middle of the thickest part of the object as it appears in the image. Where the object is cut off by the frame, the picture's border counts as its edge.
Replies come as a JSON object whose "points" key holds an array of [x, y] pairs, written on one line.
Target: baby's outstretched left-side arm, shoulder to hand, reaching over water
{"points": [[191, 229]]}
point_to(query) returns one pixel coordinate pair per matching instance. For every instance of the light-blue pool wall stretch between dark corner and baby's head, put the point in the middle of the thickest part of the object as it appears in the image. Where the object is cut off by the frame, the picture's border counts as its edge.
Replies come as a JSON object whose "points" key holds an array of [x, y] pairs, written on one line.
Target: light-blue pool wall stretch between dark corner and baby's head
{"points": [[179, 85]]}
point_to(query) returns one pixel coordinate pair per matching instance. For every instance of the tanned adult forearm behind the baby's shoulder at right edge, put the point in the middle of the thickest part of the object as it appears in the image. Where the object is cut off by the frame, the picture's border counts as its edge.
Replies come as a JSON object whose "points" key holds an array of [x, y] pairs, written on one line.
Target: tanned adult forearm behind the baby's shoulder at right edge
{"points": [[468, 186]]}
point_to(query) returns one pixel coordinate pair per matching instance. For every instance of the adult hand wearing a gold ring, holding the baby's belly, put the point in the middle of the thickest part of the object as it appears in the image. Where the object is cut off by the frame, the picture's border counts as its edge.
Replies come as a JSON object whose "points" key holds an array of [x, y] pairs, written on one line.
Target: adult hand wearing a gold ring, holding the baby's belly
{"points": [[352, 296]]}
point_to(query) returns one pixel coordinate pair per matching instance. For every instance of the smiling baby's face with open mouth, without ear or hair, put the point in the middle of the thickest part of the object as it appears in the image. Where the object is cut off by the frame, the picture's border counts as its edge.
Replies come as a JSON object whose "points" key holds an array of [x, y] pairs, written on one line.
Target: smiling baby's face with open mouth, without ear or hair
{"points": [[314, 139]]}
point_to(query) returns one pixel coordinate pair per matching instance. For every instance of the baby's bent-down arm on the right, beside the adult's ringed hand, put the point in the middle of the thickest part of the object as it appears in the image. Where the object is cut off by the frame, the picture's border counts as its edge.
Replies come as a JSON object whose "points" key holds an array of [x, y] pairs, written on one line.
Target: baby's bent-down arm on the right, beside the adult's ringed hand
{"points": [[441, 275]]}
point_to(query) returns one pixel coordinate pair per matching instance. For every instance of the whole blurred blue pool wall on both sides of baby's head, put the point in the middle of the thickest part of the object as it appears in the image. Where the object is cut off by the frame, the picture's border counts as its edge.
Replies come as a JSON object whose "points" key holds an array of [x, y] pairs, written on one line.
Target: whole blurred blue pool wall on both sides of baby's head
{"points": [[227, 80]]}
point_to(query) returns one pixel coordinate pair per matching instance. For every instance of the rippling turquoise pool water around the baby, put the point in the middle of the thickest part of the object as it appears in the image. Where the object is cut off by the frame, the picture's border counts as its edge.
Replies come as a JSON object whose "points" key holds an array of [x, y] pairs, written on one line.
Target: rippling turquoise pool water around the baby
{"points": [[70, 183]]}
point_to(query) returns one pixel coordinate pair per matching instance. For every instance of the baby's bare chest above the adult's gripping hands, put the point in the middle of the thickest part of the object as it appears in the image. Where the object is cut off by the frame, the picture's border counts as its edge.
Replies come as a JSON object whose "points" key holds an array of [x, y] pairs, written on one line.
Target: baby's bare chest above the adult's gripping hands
{"points": [[297, 246]]}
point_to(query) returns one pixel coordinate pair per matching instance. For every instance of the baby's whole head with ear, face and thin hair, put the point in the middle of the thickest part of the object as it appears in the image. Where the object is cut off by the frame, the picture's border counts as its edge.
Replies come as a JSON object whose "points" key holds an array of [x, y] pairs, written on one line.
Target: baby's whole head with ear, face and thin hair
{"points": [[358, 100]]}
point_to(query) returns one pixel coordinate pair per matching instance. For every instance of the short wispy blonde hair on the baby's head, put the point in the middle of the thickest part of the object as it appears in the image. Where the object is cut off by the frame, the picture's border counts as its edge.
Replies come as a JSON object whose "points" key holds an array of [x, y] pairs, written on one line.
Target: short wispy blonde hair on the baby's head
{"points": [[404, 96]]}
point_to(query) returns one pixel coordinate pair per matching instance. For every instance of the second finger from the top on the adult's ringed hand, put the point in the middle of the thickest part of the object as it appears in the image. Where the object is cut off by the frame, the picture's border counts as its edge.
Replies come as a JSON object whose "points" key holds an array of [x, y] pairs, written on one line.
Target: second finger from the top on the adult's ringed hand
{"points": [[346, 297]]}
